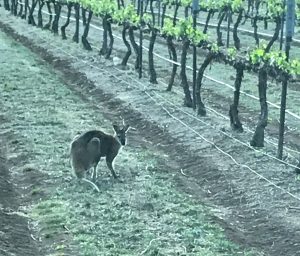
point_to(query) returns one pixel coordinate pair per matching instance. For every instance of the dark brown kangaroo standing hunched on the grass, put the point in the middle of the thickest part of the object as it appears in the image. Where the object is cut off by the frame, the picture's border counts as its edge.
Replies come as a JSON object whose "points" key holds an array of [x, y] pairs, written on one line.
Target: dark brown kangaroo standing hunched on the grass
{"points": [[87, 149]]}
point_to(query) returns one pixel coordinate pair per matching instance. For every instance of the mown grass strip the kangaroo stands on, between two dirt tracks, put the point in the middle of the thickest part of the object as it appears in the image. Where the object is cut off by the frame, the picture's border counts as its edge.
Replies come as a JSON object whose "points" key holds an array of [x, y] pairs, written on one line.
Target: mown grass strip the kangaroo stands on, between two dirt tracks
{"points": [[145, 215]]}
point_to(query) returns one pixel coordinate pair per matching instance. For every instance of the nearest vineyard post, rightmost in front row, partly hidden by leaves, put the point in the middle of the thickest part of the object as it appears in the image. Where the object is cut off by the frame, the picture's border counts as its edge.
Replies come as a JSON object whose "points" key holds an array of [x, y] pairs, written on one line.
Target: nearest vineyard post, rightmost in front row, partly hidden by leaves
{"points": [[290, 23]]}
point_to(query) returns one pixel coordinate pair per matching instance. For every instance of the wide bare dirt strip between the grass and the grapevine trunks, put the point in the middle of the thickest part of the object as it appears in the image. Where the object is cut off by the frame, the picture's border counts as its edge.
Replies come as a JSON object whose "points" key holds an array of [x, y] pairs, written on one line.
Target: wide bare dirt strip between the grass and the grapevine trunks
{"points": [[253, 212]]}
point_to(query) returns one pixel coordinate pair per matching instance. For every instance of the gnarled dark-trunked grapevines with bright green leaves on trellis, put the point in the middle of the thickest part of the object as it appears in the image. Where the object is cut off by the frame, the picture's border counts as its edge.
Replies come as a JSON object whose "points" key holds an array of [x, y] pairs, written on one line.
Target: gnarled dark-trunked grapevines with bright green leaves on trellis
{"points": [[262, 60]]}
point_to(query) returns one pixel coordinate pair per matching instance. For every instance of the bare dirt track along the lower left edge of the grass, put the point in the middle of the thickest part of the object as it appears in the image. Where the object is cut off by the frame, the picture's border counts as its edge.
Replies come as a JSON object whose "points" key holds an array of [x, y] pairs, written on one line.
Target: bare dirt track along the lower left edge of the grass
{"points": [[15, 235]]}
